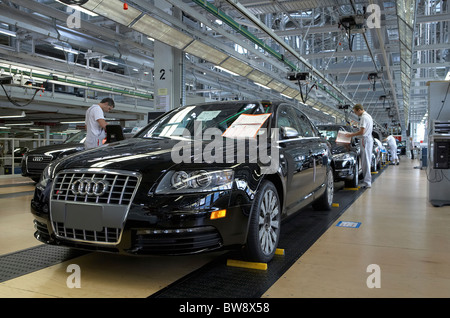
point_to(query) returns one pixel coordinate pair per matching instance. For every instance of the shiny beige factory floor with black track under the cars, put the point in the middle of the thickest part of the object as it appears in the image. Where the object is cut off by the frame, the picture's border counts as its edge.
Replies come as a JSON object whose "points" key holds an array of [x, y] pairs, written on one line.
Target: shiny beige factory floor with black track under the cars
{"points": [[398, 248]]}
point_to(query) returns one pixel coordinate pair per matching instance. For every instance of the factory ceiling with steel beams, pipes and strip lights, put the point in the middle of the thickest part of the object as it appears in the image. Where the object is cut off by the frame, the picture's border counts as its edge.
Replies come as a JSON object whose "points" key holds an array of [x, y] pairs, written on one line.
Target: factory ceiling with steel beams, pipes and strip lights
{"points": [[322, 55]]}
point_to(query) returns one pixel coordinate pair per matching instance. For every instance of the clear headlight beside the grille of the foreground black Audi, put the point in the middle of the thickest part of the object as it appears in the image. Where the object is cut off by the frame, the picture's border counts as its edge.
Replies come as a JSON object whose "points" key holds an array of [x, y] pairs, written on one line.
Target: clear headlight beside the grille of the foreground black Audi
{"points": [[195, 181]]}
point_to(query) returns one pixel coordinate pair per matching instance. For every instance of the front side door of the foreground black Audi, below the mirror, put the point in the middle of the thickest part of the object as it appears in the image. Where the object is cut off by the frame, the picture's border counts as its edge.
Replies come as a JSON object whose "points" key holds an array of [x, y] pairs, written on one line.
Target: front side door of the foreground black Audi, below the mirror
{"points": [[296, 150]]}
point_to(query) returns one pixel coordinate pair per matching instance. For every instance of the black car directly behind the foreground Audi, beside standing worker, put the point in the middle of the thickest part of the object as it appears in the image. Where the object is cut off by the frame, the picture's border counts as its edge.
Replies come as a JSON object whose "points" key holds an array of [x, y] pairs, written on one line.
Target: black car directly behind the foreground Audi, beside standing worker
{"points": [[346, 161]]}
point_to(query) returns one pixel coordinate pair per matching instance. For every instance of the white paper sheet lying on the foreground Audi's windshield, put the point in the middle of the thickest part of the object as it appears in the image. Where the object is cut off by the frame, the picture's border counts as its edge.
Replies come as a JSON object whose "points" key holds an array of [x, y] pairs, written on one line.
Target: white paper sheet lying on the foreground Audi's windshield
{"points": [[246, 126]]}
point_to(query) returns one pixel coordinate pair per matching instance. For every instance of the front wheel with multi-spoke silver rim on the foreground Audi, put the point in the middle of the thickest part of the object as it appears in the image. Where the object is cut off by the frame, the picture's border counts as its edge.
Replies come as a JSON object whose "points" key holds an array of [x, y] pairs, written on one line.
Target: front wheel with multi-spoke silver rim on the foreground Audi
{"points": [[264, 229]]}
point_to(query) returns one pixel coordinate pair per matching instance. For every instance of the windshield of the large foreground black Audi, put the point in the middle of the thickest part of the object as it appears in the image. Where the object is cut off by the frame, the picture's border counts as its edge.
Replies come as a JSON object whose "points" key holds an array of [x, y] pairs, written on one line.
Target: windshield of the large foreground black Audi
{"points": [[180, 121]]}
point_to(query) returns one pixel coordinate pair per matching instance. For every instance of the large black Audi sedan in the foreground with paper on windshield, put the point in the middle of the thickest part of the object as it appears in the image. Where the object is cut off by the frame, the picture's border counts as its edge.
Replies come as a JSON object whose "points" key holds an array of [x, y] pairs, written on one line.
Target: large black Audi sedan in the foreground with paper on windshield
{"points": [[198, 178]]}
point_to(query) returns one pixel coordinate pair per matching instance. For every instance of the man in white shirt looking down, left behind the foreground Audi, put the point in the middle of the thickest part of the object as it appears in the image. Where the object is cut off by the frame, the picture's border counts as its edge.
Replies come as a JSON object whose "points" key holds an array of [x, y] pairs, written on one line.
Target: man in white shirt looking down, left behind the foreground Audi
{"points": [[96, 123]]}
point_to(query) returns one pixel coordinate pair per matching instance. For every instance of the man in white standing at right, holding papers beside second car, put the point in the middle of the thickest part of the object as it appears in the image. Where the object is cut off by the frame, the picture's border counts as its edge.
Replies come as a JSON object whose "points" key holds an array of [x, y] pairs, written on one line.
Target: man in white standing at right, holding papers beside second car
{"points": [[366, 142]]}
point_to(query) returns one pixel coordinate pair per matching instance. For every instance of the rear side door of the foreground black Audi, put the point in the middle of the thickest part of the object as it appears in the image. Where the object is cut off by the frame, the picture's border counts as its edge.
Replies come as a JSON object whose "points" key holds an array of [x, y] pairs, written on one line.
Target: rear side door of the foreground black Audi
{"points": [[317, 151]]}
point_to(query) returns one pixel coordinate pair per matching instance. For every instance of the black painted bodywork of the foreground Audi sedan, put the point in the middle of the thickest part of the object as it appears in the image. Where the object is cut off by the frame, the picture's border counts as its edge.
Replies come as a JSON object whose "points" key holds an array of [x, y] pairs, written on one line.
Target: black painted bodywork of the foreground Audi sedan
{"points": [[299, 180]]}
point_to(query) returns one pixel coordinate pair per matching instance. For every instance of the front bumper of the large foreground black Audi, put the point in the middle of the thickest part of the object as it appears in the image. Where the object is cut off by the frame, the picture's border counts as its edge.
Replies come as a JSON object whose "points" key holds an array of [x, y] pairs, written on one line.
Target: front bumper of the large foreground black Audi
{"points": [[162, 226]]}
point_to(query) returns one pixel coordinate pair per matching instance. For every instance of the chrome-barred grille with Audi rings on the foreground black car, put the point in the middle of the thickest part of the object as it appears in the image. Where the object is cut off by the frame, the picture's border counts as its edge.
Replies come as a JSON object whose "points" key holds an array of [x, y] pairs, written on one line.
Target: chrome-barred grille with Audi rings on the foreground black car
{"points": [[91, 206]]}
